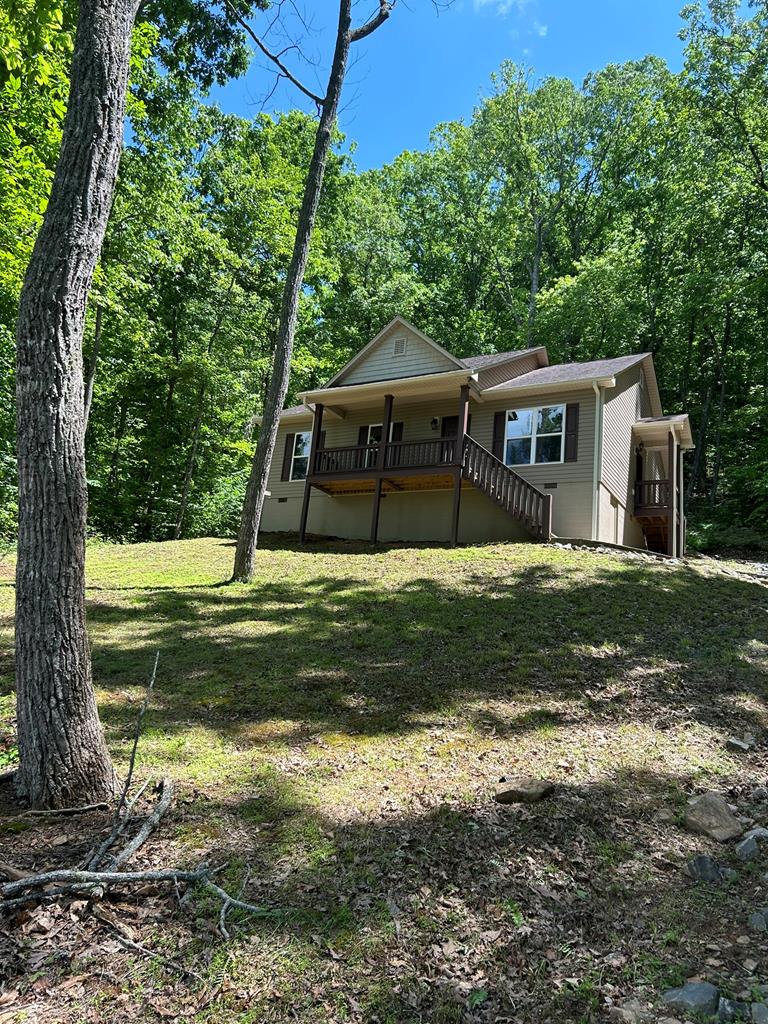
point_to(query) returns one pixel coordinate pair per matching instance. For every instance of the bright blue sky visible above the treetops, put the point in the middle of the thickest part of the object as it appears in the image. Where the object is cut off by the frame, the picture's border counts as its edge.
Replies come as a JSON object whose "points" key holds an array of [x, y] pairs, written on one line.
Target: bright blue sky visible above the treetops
{"points": [[422, 68]]}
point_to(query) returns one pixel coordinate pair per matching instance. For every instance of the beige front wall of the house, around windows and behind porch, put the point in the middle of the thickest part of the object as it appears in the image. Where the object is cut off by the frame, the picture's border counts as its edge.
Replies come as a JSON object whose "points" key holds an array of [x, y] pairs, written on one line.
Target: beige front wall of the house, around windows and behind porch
{"points": [[425, 517]]}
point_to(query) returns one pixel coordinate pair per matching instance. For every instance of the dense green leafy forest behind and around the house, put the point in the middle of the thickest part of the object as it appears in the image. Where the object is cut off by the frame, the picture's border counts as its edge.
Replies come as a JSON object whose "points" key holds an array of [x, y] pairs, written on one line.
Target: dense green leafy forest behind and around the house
{"points": [[627, 214]]}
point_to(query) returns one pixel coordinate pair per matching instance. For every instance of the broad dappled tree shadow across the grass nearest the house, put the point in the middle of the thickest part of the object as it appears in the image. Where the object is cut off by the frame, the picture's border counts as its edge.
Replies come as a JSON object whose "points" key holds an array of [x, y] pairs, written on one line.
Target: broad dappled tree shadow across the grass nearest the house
{"points": [[371, 657]]}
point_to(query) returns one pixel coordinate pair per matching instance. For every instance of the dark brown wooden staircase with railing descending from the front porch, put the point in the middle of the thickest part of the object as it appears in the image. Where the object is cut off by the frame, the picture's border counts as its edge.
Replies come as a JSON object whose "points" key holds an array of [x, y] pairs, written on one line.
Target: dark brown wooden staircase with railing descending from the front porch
{"points": [[509, 491]]}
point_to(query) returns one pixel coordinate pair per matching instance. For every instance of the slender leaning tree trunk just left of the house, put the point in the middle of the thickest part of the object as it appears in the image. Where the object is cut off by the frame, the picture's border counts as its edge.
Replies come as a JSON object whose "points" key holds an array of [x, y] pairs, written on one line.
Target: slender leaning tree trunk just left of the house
{"points": [[276, 397]]}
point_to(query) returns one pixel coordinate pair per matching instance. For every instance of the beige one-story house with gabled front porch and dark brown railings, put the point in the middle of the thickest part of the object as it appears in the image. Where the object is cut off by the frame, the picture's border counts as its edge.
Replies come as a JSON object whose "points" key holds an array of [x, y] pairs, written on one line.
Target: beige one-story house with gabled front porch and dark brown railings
{"points": [[409, 443]]}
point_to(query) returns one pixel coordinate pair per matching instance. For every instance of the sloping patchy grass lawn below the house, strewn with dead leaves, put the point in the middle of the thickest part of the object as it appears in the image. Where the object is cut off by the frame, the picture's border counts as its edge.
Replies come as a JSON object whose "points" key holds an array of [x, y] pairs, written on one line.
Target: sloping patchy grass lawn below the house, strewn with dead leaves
{"points": [[336, 732]]}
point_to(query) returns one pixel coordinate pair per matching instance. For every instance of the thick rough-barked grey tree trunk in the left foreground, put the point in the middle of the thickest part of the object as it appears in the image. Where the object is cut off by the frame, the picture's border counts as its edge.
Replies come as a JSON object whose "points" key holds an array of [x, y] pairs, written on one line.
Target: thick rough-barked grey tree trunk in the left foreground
{"points": [[64, 756]]}
